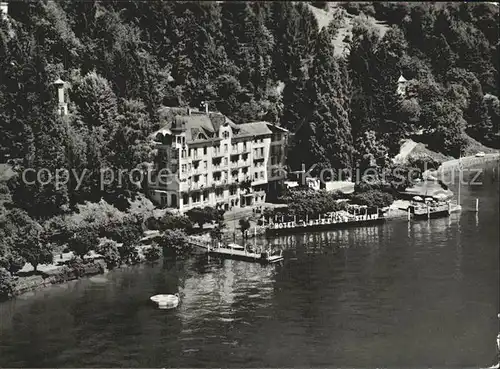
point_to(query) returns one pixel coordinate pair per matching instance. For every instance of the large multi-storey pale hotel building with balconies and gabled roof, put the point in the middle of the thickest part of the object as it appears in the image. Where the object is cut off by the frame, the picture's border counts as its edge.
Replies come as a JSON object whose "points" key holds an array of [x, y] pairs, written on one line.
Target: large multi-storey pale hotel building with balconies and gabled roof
{"points": [[205, 159]]}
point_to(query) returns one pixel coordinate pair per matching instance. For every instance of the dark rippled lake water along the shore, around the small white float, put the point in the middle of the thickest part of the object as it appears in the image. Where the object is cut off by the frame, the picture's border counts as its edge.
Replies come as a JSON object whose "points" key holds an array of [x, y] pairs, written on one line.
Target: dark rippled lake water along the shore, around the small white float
{"points": [[401, 294]]}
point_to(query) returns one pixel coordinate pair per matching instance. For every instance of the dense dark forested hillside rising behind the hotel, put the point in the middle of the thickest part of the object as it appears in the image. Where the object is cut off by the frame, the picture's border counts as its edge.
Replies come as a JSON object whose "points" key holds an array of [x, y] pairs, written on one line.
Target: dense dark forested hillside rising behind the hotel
{"points": [[250, 61]]}
